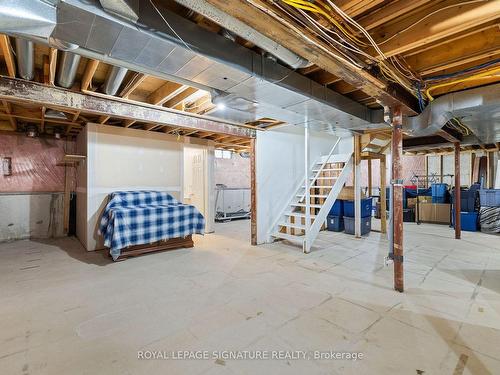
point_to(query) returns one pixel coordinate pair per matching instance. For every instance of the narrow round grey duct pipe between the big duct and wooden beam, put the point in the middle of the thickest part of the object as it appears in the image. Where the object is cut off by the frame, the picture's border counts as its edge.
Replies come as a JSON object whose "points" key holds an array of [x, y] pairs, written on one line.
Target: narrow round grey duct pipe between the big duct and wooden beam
{"points": [[246, 32]]}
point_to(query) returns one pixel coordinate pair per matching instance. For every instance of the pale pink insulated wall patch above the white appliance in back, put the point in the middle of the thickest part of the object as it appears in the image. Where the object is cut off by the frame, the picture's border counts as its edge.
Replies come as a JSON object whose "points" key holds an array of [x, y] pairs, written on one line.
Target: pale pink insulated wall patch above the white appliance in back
{"points": [[234, 172]]}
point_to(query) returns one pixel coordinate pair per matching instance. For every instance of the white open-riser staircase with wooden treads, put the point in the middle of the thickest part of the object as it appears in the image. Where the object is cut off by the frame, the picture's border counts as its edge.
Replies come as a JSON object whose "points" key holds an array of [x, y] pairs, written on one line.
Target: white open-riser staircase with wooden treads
{"points": [[305, 215]]}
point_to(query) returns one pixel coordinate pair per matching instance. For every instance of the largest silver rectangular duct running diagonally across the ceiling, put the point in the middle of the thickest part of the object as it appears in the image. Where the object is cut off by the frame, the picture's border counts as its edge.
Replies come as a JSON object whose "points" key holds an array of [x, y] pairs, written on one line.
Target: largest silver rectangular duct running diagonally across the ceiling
{"points": [[184, 52]]}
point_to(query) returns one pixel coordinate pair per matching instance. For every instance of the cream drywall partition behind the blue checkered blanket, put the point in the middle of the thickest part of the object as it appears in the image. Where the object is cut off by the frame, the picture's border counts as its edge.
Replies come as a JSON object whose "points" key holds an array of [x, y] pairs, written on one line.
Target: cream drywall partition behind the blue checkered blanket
{"points": [[129, 159]]}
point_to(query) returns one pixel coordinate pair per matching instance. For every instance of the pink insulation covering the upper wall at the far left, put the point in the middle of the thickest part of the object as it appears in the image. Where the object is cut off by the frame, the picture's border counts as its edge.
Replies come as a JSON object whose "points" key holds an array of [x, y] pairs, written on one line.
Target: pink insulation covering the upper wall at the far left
{"points": [[36, 163]]}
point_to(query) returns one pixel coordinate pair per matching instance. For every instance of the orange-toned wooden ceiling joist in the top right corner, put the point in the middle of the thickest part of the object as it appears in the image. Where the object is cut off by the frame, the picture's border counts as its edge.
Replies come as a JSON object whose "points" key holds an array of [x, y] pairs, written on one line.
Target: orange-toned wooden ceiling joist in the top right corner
{"points": [[402, 36]]}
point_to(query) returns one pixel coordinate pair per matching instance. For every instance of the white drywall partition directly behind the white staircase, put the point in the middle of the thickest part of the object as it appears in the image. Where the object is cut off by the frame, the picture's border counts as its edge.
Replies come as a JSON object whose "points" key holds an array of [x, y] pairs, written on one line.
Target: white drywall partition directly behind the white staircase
{"points": [[280, 168]]}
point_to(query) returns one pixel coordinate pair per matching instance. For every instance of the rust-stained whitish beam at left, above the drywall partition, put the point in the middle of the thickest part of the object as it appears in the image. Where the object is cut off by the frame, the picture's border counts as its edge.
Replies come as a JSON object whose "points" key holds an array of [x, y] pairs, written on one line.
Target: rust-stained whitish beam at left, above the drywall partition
{"points": [[34, 93]]}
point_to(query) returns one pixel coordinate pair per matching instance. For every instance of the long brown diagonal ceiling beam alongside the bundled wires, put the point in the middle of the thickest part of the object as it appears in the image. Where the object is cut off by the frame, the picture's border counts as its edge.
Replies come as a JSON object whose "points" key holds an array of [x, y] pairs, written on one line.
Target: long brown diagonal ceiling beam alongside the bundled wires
{"points": [[257, 14]]}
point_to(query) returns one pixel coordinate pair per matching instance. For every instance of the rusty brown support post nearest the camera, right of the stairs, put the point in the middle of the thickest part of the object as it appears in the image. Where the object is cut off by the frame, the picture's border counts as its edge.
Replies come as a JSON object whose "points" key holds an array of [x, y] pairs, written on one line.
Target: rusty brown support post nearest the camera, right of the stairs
{"points": [[397, 219]]}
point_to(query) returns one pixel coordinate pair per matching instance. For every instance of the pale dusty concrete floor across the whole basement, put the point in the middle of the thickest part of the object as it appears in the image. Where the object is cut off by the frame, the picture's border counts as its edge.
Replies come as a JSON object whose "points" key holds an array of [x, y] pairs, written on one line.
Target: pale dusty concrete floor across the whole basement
{"points": [[65, 311]]}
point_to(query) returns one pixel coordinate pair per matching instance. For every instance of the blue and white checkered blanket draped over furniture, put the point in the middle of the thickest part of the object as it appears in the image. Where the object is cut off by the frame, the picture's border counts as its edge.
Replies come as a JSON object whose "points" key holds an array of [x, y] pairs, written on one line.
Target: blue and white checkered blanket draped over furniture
{"points": [[142, 217]]}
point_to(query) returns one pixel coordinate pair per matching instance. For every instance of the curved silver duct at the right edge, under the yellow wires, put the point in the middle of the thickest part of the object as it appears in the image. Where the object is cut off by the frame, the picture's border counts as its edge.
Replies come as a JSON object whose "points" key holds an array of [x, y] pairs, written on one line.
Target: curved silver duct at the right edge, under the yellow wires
{"points": [[478, 109]]}
